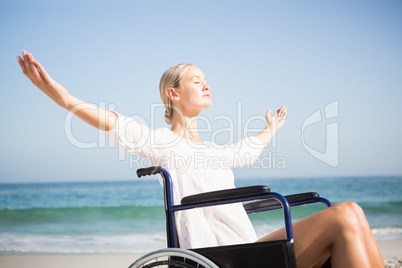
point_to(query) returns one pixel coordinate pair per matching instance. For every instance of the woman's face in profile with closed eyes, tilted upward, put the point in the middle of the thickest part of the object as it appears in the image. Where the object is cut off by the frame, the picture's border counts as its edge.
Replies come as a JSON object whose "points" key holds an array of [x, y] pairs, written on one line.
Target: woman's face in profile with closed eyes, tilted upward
{"points": [[194, 92]]}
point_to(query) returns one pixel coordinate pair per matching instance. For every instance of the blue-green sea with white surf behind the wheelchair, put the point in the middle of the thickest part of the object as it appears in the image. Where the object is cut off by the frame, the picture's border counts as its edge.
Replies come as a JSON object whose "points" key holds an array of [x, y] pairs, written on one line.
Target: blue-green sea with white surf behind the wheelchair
{"points": [[128, 216]]}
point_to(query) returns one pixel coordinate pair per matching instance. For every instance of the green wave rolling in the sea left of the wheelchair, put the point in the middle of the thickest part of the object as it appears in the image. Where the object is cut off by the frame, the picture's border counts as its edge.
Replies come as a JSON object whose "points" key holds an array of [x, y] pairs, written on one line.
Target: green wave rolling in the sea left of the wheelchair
{"points": [[84, 220]]}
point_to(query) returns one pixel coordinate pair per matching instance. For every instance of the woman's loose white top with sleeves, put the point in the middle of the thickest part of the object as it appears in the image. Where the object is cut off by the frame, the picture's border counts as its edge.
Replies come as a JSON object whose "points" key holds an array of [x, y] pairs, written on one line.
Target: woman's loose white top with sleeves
{"points": [[195, 168]]}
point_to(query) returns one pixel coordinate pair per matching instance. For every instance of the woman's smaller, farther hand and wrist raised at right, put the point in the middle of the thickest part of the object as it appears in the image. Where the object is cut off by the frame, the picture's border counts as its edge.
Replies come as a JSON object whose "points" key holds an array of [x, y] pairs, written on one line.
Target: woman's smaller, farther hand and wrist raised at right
{"points": [[274, 123]]}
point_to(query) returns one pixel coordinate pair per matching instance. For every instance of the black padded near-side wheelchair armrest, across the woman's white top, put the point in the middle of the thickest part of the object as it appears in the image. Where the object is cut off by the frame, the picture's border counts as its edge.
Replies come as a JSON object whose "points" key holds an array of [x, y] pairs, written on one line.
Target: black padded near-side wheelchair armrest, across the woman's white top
{"points": [[221, 195]]}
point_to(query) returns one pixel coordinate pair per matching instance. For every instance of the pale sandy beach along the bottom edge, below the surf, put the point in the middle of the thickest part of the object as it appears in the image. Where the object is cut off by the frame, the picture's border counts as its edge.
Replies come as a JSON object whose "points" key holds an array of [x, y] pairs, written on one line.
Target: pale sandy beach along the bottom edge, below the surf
{"points": [[391, 251]]}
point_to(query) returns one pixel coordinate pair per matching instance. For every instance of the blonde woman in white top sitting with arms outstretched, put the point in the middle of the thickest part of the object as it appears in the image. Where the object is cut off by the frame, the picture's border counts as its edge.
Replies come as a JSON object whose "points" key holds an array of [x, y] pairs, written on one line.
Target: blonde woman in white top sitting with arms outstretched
{"points": [[340, 231]]}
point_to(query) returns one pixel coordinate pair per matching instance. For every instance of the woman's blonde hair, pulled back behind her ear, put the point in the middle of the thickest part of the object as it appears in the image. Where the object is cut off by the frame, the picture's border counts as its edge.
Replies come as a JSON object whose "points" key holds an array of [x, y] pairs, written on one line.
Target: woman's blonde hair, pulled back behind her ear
{"points": [[171, 78]]}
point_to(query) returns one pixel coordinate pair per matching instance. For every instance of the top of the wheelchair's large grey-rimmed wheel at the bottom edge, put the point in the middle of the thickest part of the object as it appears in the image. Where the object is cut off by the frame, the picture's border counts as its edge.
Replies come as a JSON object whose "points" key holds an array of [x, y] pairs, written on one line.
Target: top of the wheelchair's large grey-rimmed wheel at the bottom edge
{"points": [[173, 258]]}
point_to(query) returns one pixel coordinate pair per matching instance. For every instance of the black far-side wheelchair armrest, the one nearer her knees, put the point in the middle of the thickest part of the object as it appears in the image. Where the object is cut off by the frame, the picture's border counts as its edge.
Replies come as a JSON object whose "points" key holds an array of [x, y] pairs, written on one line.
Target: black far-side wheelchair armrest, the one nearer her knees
{"points": [[294, 199]]}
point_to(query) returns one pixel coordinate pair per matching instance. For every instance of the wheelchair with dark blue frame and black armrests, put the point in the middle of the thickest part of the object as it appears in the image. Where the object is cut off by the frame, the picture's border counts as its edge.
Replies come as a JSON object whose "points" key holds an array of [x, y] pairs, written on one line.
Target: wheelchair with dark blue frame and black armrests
{"points": [[280, 253]]}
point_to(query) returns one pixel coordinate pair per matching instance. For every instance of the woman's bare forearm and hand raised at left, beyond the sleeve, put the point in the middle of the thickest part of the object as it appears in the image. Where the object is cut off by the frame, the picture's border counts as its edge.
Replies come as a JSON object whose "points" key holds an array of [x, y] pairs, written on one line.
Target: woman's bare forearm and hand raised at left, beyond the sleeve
{"points": [[89, 113]]}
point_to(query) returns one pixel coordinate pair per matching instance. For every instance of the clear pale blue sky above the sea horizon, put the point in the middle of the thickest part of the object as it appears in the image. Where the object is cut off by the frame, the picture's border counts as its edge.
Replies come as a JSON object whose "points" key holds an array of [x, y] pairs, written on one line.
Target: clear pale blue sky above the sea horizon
{"points": [[256, 55]]}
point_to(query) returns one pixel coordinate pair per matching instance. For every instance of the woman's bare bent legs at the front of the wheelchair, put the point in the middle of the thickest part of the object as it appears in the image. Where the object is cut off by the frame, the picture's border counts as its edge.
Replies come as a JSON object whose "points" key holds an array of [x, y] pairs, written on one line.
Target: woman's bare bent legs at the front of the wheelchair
{"points": [[340, 231]]}
